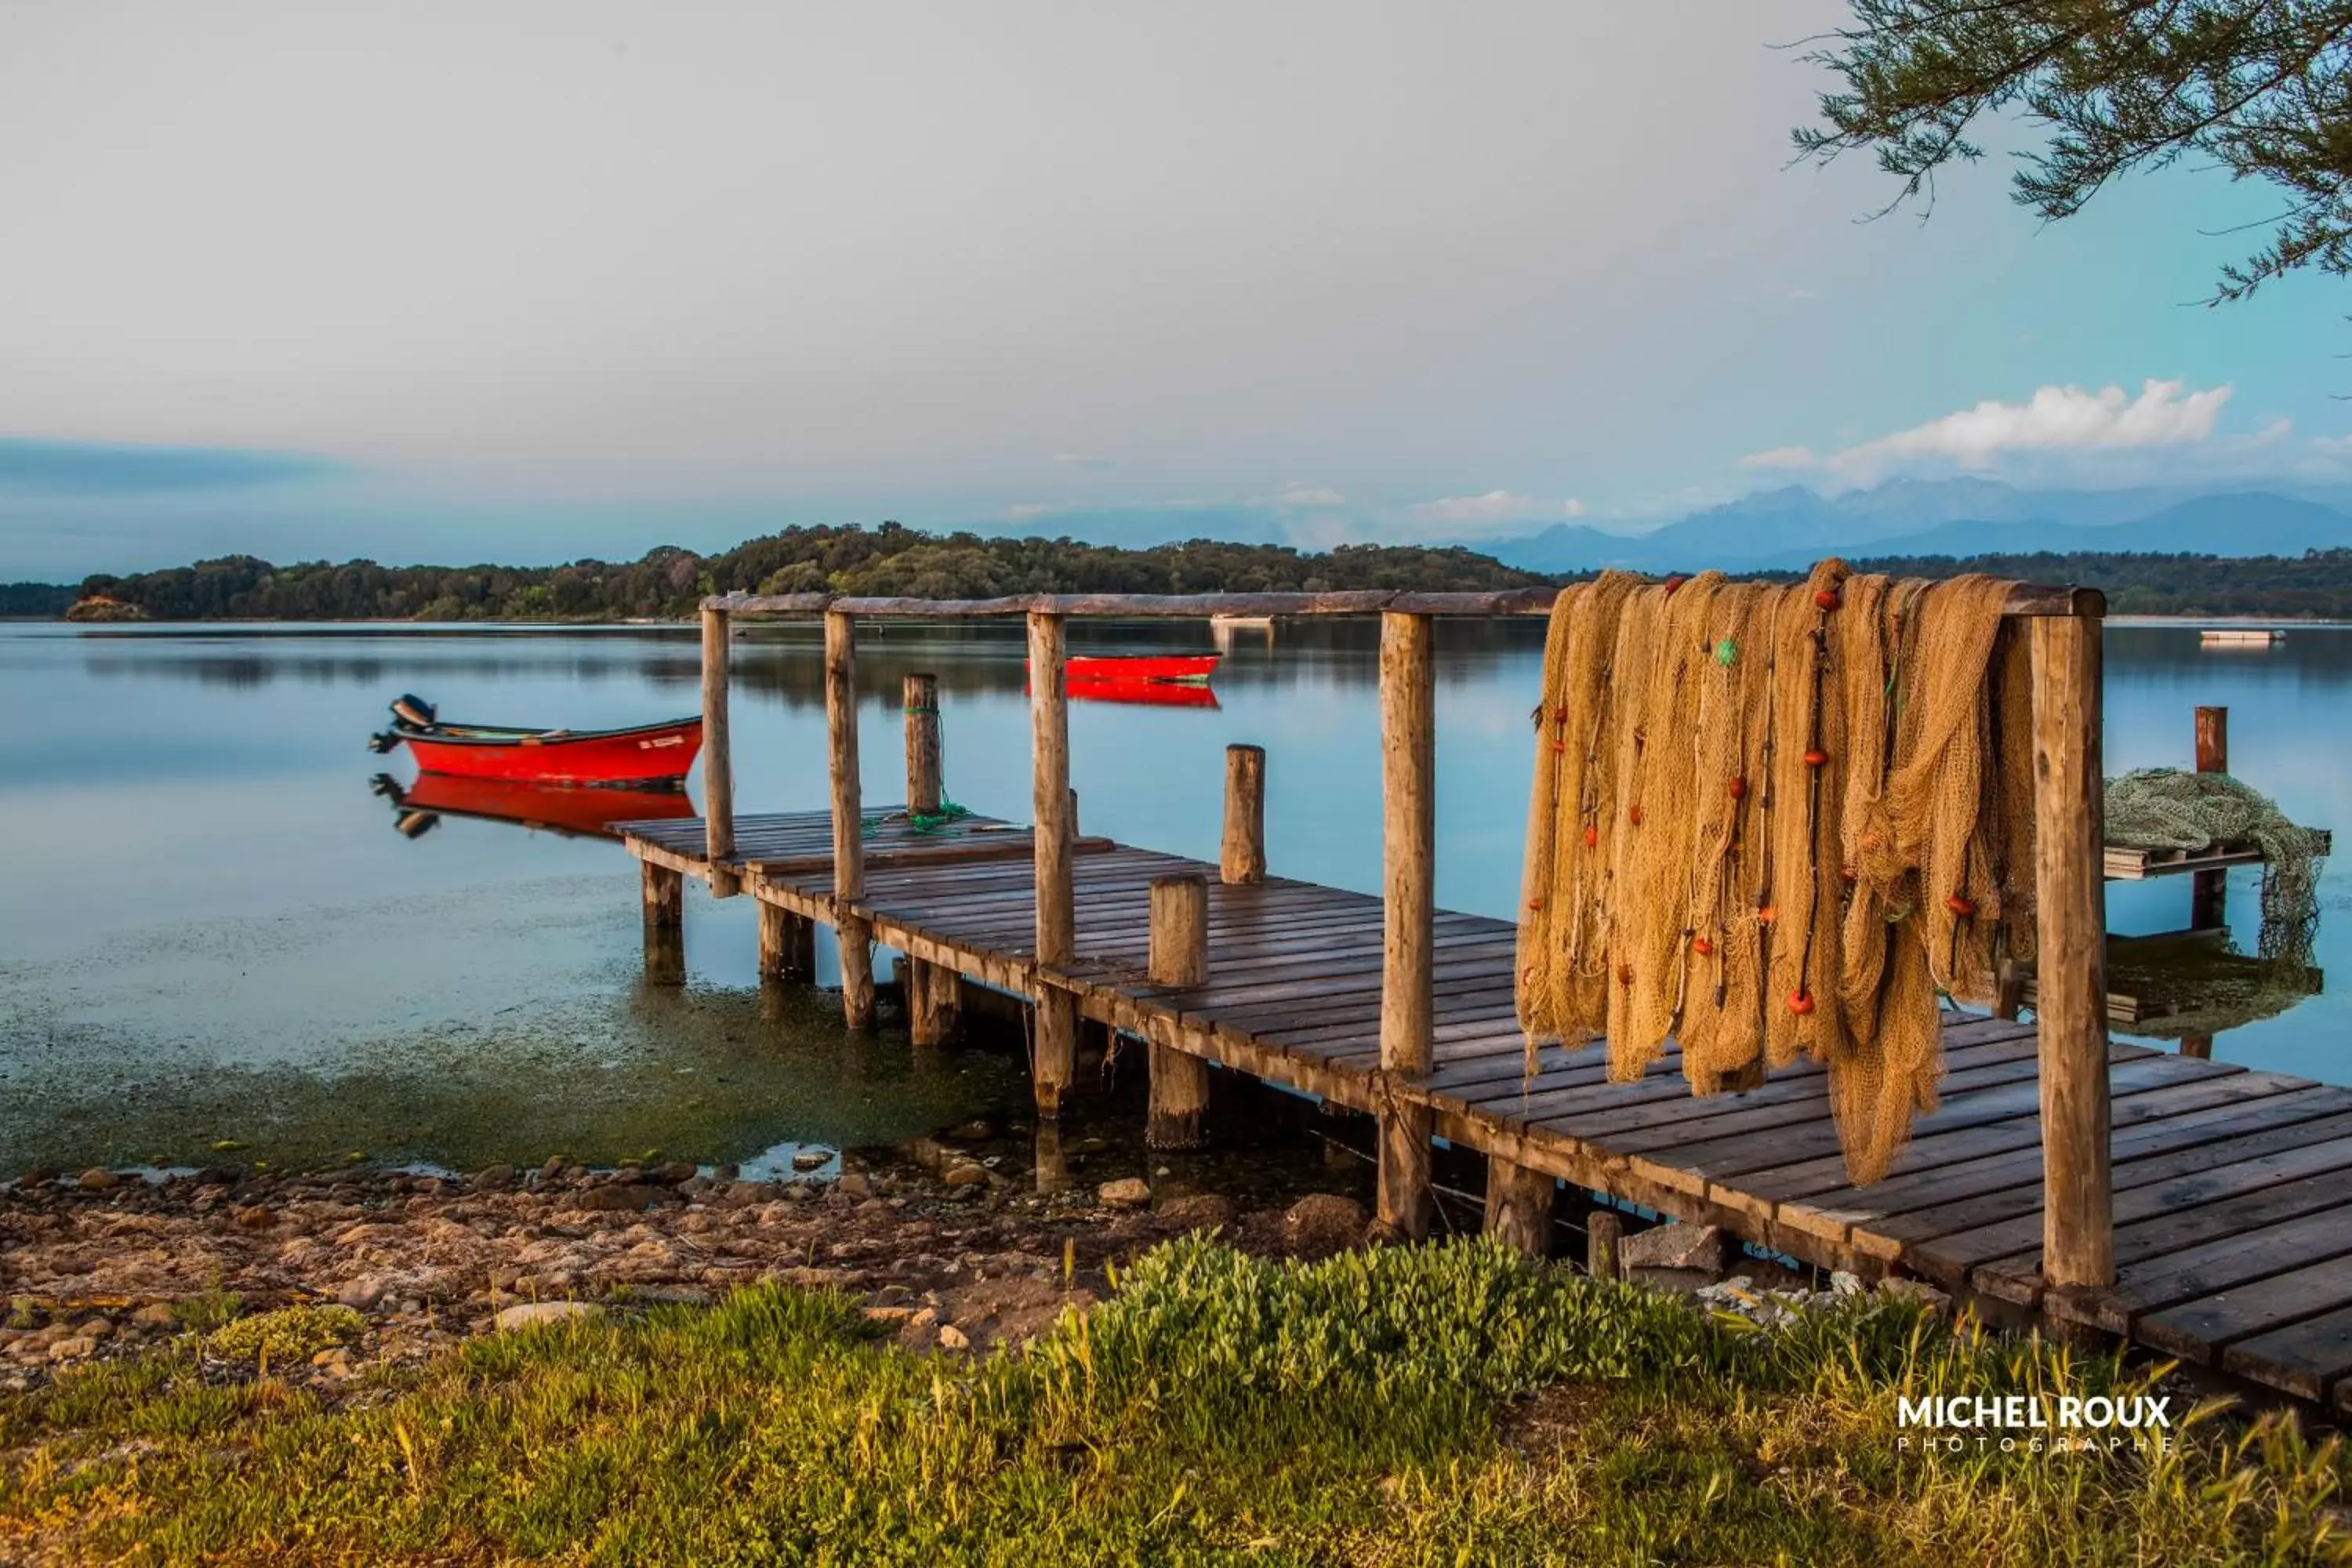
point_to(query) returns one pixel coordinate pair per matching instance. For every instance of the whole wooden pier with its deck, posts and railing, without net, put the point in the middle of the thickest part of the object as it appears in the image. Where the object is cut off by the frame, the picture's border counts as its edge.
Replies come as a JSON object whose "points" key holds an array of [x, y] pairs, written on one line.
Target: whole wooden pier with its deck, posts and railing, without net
{"points": [[2189, 1205]]}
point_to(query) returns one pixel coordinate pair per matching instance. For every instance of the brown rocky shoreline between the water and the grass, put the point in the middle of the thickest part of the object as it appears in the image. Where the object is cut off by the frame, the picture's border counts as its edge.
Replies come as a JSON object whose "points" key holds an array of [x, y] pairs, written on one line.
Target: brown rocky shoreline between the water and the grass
{"points": [[935, 1242]]}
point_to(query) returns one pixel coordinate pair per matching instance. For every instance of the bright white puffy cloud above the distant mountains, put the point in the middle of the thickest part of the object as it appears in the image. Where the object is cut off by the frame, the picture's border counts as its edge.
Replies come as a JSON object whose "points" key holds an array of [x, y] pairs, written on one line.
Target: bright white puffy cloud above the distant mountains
{"points": [[2059, 420]]}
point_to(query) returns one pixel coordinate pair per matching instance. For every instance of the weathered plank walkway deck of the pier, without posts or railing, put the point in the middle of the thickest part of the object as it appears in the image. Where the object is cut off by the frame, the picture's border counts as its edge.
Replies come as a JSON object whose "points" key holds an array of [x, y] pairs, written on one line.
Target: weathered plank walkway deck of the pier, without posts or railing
{"points": [[2233, 1191]]}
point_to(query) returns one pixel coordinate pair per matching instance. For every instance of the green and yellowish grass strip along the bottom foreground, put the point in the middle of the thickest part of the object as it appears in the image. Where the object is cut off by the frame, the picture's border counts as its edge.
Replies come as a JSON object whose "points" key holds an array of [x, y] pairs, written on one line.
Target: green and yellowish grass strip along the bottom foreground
{"points": [[1398, 1407]]}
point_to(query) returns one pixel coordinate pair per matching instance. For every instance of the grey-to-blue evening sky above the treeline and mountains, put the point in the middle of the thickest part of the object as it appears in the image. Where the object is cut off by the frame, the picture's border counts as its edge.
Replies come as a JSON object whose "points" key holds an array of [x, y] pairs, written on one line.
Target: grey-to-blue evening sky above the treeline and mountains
{"points": [[535, 281]]}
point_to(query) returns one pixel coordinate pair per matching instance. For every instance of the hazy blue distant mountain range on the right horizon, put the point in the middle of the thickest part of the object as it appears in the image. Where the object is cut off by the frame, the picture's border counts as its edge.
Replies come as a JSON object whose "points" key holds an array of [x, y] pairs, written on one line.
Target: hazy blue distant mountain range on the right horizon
{"points": [[1793, 528]]}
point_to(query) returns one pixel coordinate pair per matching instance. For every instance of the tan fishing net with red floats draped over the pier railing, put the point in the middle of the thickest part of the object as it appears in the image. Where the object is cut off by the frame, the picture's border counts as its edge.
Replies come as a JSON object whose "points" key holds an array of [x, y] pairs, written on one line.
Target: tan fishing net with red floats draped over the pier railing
{"points": [[1777, 822]]}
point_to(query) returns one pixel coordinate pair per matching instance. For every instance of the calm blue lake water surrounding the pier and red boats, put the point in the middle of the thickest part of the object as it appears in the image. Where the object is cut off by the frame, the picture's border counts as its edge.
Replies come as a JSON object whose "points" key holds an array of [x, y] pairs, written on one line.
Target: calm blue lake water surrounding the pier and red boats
{"points": [[211, 930]]}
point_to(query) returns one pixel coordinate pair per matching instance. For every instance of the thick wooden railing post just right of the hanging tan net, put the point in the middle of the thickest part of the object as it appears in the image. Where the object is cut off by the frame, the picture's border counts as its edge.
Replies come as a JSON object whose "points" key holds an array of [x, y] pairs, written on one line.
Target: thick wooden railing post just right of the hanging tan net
{"points": [[2071, 916]]}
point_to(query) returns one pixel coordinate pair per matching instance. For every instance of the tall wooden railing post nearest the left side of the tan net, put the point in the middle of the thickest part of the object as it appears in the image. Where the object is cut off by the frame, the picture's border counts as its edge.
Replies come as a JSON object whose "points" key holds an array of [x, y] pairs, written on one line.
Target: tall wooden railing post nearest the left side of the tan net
{"points": [[1408, 892]]}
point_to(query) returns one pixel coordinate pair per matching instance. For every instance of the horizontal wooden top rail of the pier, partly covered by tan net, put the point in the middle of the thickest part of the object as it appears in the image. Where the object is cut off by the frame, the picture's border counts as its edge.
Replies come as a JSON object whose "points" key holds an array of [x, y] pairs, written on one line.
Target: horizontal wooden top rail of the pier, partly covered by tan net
{"points": [[2029, 601]]}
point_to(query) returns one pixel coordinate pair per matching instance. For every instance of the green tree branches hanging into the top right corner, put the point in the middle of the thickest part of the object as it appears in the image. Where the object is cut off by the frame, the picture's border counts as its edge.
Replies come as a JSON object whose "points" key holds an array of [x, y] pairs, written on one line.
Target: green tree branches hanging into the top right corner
{"points": [[2264, 88]]}
